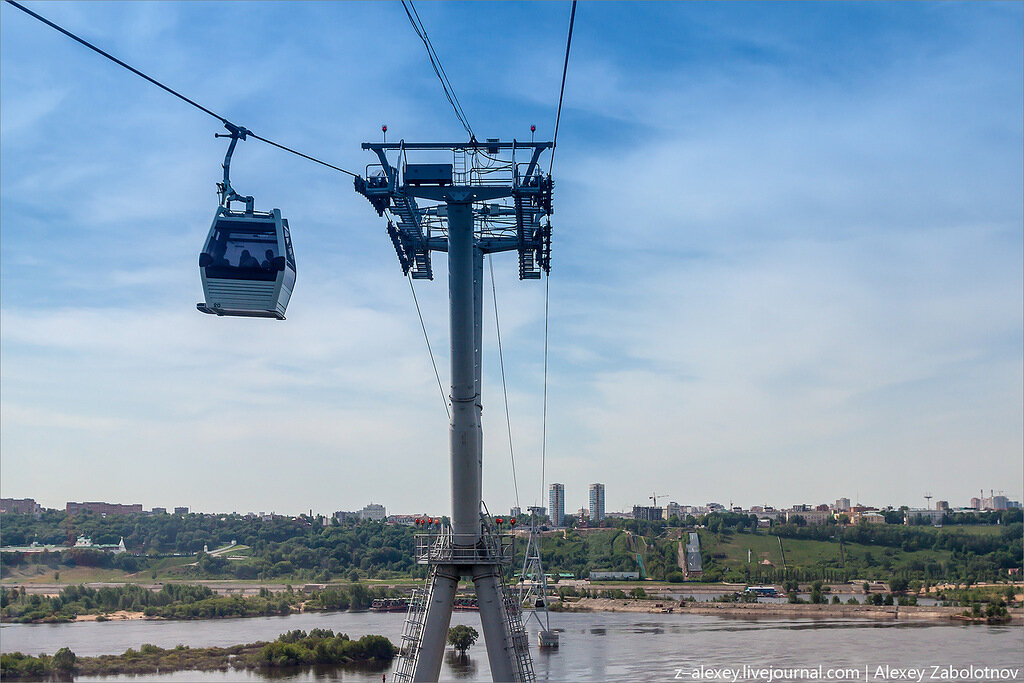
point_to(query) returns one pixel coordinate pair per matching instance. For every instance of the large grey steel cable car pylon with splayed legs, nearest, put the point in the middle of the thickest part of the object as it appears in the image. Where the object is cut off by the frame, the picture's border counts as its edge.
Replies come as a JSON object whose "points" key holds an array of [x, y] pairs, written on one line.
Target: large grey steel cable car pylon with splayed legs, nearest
{"points": [[490, 206]]}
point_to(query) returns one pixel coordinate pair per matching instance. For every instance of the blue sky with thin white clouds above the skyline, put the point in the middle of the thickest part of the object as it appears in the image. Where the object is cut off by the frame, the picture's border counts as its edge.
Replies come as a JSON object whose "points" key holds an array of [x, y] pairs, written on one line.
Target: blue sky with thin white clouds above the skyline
{"points": [[788, 260]]}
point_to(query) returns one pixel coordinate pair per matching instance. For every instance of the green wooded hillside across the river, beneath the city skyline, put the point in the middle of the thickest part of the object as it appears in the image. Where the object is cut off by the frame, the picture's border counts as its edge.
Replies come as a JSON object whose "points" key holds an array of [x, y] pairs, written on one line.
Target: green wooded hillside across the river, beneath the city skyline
{"points": [[305, 550]]}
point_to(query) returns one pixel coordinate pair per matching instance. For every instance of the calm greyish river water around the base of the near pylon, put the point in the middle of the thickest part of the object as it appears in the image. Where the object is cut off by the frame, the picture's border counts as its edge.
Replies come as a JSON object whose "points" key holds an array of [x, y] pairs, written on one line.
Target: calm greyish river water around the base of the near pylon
{"points": [[594, 647]]}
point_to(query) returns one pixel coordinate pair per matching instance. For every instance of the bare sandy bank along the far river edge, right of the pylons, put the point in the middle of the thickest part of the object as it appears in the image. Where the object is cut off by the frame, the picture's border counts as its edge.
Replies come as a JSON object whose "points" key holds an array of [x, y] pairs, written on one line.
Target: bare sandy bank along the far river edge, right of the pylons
{"points": [[778, 611]]}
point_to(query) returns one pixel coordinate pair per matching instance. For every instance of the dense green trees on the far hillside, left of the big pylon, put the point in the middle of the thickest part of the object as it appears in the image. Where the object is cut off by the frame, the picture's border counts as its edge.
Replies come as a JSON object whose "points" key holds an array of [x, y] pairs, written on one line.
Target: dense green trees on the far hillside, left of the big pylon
{"points": [[302, 549]]}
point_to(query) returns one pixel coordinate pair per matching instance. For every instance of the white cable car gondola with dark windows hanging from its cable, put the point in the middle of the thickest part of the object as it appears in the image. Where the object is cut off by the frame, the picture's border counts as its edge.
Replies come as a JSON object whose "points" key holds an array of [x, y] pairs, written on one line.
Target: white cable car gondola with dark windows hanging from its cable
{"points": [[247, 265]]}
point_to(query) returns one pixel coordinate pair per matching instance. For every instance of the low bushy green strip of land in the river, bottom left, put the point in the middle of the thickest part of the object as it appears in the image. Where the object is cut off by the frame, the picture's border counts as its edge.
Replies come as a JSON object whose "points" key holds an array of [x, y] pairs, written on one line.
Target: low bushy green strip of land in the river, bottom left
{"points": [[295, 649]]}
